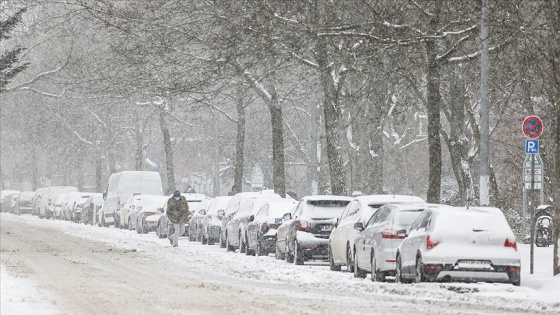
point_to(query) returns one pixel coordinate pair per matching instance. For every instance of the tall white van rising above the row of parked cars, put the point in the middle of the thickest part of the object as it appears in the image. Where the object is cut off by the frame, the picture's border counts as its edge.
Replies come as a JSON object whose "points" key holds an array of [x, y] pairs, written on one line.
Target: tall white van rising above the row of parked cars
{"points": [[123, 185]]}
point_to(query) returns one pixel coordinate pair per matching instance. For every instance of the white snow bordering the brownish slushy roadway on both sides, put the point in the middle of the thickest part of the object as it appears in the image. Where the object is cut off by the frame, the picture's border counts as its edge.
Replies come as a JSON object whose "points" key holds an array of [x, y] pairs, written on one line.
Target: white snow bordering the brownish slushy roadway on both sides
{"points": [[539, 291]]}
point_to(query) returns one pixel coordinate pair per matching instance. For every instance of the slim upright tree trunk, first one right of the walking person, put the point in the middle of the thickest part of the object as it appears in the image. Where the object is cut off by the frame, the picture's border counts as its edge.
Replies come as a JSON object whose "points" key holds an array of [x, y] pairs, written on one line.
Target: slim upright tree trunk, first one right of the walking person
{"points": [[240, 143]]}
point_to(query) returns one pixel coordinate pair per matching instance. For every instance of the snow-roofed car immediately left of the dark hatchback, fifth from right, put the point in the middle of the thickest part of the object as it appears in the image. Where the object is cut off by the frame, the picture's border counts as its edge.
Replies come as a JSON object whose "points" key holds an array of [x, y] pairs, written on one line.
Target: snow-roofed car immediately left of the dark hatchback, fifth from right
{"points": [[261, 229]]}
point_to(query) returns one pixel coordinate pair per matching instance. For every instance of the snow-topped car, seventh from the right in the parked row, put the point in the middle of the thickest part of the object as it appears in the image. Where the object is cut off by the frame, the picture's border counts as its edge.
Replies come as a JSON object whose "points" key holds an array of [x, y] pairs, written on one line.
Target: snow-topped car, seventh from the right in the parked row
{"points": [[212, 222]]}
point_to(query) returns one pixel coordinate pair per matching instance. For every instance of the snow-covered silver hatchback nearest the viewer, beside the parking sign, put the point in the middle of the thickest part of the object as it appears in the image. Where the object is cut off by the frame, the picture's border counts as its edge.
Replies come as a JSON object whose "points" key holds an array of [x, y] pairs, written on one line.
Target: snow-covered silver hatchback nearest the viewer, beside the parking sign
{"points": [[459, 244]]}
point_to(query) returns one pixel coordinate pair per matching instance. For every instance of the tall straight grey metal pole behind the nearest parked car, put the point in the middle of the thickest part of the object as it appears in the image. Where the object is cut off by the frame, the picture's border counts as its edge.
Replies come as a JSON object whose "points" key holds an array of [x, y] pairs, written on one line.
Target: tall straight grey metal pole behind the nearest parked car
{"points": [[484, 116]]}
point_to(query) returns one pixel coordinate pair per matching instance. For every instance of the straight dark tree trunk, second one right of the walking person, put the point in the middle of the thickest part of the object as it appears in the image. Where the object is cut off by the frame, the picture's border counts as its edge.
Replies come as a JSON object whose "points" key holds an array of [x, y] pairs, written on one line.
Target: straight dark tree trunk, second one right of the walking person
{"points": [[278, 150]]}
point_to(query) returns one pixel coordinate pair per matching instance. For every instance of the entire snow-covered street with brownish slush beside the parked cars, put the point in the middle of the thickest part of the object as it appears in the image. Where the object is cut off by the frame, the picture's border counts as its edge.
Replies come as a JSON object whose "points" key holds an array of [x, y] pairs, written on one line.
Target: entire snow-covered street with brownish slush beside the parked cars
{"points": [[58, 267]]}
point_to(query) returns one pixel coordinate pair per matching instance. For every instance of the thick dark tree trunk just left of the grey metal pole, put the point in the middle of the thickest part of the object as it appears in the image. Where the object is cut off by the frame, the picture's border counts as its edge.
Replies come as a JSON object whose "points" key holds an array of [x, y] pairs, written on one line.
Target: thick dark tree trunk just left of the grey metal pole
{"points": [[434, 123]]}
